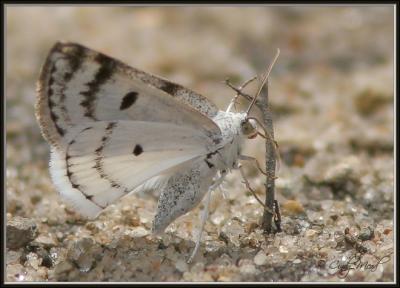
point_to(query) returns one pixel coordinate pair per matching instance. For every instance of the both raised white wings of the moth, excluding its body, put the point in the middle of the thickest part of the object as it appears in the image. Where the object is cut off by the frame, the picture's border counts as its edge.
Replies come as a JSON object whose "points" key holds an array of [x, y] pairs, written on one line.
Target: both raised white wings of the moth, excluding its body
{"points": [[97, 113]]}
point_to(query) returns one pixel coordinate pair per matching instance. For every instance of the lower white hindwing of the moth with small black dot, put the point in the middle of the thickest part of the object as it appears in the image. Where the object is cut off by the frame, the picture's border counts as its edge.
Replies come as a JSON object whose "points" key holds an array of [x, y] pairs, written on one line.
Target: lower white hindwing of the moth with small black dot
{"points": [[106, 160]]}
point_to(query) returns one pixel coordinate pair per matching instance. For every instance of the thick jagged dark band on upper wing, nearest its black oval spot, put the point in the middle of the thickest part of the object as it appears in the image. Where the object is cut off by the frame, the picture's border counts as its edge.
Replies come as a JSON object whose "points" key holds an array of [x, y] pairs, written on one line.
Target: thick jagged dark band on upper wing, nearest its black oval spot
{"points": [[105, 72]]}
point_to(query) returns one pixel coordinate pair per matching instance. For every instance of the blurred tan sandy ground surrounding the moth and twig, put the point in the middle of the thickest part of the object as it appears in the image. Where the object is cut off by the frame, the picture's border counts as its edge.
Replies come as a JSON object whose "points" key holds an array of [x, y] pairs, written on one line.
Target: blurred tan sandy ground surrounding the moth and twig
{"points": [[332, 97]]}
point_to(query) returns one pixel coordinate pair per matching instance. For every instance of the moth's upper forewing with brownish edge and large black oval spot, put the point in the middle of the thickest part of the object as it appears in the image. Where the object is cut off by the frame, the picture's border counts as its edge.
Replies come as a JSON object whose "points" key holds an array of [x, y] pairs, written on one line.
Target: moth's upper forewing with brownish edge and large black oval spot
{"points": [[78, 85]]}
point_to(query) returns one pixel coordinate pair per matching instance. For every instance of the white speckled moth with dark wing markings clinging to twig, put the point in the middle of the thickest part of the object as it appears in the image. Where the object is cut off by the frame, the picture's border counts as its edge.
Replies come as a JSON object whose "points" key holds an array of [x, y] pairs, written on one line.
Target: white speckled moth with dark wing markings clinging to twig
{"points": [[115, 130]]}
